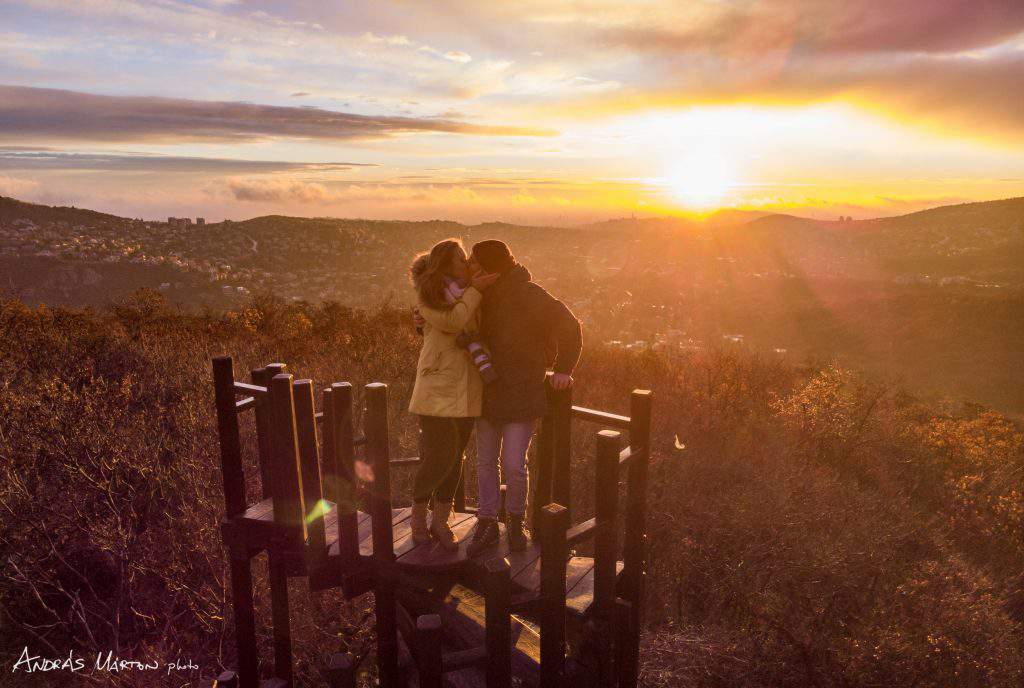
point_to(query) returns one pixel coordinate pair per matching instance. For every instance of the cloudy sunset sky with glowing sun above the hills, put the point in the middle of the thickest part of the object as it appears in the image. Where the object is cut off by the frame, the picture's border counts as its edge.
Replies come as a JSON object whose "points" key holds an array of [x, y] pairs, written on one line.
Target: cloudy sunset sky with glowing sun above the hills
{"points": [[525, 111]]}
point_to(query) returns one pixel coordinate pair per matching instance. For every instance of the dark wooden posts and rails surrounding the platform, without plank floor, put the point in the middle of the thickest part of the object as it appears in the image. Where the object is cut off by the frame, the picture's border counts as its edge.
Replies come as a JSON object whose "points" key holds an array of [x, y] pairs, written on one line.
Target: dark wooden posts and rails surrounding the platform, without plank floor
{"points": [[307, 462]]}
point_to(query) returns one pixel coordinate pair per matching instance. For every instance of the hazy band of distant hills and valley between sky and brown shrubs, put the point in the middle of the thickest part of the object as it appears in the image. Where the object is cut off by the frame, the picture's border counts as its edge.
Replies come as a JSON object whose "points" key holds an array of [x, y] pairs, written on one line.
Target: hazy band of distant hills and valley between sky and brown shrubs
{"points": [[935, 296]]}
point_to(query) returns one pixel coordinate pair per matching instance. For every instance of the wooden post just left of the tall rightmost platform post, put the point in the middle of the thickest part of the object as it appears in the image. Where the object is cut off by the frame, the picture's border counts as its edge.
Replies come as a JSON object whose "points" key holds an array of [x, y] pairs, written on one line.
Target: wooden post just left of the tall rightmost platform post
{"points": [[607, 535]]}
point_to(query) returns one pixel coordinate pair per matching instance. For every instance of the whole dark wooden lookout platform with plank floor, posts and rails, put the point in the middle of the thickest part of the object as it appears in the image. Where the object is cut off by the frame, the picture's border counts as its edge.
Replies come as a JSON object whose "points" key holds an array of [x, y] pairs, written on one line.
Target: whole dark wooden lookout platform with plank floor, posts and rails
{"points": [[542, 617]]}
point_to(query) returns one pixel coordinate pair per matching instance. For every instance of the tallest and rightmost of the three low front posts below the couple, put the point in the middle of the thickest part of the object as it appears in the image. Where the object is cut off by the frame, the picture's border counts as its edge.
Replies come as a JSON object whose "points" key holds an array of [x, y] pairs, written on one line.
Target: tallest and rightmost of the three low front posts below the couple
{"points": [[554, 551]]}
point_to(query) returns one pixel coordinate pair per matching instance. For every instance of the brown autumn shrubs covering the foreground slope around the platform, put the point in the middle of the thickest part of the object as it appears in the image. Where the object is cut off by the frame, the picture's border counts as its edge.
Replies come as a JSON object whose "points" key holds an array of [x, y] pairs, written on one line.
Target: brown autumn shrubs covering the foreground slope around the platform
{"points": [[817, 529]]}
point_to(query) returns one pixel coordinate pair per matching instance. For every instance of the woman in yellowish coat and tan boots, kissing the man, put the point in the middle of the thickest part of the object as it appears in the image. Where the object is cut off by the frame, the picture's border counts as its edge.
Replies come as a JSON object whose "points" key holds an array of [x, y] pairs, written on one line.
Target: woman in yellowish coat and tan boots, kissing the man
{"points": [[449, 392]]}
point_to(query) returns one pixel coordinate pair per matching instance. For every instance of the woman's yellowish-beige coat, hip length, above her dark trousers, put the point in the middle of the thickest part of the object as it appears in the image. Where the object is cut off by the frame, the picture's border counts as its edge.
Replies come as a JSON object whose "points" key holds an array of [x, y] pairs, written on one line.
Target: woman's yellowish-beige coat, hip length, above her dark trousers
{"points": [[448, 383]]}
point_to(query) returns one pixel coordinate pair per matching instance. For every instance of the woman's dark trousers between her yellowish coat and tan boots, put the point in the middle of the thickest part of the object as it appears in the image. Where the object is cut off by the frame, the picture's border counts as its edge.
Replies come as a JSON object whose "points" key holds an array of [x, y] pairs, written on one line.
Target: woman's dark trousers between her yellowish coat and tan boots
{"points": [[443, 444]]}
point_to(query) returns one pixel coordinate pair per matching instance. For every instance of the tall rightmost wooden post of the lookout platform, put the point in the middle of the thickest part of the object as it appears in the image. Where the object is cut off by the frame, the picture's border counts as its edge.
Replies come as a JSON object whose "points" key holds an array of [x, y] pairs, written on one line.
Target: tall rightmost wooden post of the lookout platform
{"points": [[634, 560]]}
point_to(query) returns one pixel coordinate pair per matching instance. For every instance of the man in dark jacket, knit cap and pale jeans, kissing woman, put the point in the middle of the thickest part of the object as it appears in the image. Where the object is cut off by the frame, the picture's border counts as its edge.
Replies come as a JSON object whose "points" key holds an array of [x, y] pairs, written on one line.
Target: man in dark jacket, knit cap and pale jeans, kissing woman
{"points": [[520, 320]]}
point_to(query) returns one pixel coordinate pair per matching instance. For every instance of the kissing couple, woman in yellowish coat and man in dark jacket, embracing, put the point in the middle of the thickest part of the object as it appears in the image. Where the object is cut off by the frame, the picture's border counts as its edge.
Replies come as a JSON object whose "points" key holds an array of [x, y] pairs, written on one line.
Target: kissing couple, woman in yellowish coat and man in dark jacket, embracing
{"points": [[488, 332]]}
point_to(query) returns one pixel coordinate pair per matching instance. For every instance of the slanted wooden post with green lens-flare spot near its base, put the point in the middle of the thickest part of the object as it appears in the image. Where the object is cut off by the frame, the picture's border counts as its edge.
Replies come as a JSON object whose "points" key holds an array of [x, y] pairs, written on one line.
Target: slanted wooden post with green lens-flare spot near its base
{"points": [[313, 507]]}
